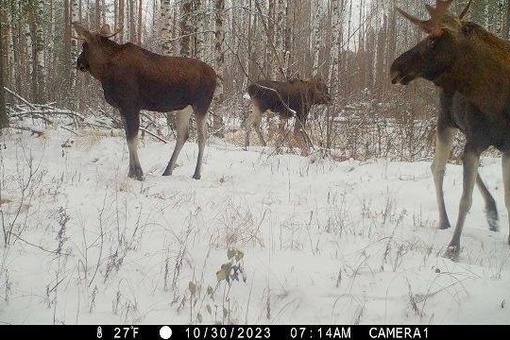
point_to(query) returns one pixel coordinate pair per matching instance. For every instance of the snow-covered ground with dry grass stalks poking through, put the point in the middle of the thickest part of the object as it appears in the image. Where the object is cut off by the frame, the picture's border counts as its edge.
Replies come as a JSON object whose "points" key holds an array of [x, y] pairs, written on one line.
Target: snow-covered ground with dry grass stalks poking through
{"points": [[324, 242]]}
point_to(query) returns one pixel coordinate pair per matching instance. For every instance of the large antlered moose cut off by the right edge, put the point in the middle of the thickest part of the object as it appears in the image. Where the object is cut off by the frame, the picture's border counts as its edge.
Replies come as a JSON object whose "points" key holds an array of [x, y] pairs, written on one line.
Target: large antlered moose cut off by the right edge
{"points": [[471, 67]]}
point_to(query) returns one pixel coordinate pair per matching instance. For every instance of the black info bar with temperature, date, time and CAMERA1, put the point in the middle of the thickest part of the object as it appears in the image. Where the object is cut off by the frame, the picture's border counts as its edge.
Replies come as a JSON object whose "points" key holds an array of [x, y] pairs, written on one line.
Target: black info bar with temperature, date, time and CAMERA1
{"points": [[278, 332]]}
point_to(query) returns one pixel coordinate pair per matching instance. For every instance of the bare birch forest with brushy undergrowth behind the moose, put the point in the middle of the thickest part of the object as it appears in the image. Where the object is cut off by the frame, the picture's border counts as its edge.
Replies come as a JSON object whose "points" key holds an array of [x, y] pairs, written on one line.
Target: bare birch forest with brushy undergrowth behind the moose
{"points": [[348, 43]]}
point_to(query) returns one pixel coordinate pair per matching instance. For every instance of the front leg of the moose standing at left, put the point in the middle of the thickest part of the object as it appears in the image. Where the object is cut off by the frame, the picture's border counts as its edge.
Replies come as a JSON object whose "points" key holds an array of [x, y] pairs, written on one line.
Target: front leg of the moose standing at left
{"points": [[131, 122]]}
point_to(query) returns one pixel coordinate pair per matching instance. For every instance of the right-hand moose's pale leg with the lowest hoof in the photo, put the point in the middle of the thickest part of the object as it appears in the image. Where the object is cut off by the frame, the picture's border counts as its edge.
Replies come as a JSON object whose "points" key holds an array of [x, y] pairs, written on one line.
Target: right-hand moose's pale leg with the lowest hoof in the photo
{"points": [[470, 163]]}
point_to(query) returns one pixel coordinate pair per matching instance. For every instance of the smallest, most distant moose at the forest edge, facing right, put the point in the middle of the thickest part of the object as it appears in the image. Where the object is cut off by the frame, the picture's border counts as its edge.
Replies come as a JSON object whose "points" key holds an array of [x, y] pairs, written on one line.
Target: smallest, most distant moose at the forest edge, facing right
{"points": [[289, 99]]}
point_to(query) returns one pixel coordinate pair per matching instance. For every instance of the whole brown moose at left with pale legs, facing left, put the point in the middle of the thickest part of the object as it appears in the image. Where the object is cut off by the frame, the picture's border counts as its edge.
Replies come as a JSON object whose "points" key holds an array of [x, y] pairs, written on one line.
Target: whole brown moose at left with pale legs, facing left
{"points": [[134, 79]]}
